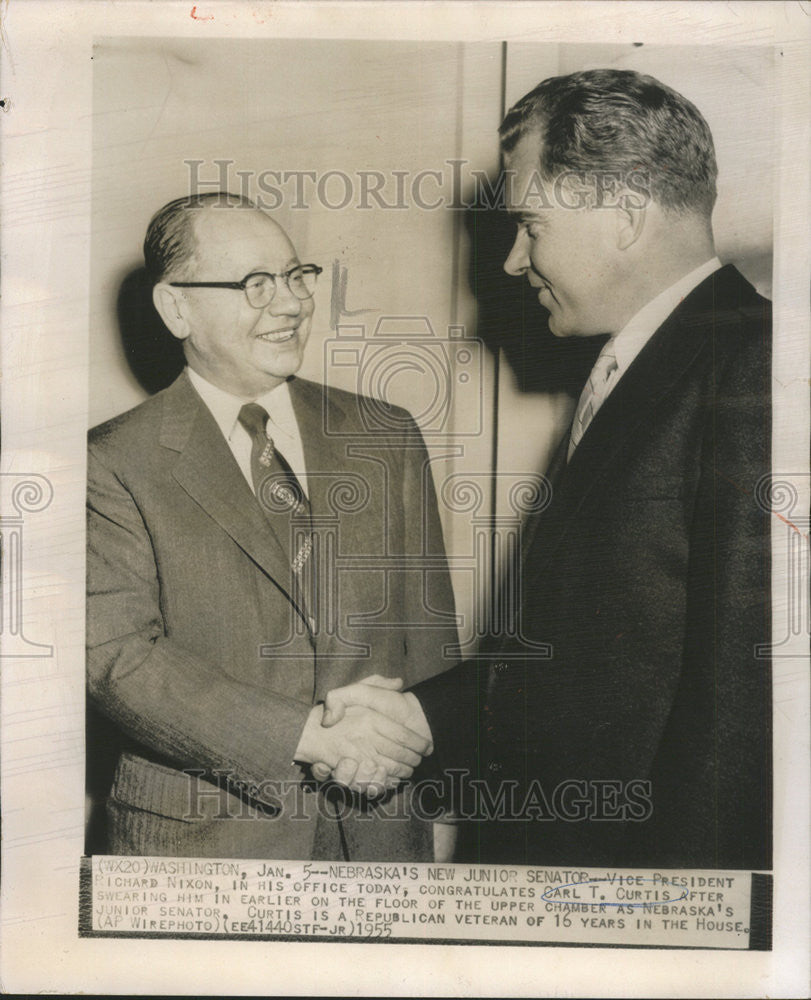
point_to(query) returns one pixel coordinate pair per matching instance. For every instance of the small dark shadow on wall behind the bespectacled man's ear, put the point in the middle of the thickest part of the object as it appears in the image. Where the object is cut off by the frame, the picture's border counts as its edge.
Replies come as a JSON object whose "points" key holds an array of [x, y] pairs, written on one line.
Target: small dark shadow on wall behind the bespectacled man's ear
{"points": [[155, 357]]}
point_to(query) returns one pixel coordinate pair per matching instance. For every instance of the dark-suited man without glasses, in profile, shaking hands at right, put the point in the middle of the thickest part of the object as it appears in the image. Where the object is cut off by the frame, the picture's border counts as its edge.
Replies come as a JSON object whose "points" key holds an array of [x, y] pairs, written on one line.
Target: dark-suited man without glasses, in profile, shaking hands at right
{"points": [[643, 738]]}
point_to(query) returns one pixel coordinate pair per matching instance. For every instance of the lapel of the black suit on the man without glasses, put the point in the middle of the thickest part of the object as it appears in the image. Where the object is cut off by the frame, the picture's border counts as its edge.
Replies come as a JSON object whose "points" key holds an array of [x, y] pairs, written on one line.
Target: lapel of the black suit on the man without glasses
{"points": [[653, 375]]}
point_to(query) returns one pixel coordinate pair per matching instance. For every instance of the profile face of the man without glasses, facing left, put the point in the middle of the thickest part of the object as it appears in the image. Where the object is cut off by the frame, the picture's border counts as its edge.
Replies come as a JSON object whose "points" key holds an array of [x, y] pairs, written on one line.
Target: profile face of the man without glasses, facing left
{"points": [[568, 254]]}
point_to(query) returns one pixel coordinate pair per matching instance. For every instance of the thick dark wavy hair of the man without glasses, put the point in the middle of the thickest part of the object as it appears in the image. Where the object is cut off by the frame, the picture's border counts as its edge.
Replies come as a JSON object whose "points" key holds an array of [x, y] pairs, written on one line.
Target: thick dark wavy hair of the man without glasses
{"points": [[620, 120]]}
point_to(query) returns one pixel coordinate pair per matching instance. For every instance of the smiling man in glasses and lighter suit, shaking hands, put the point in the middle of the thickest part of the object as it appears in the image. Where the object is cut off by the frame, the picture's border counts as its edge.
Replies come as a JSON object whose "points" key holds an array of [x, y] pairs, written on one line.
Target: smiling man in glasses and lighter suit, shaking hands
{"points": [[223, 600]]}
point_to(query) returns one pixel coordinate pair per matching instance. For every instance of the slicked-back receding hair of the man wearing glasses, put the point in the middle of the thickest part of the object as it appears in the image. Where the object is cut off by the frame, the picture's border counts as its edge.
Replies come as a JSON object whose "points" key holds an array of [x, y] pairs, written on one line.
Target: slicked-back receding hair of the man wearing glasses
{"points": [[170, 244]]}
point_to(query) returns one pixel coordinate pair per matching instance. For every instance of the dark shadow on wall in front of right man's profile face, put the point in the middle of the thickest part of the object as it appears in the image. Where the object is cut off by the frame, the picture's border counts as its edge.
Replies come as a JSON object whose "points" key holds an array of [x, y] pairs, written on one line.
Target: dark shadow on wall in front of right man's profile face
{"points": [[510, 316]]}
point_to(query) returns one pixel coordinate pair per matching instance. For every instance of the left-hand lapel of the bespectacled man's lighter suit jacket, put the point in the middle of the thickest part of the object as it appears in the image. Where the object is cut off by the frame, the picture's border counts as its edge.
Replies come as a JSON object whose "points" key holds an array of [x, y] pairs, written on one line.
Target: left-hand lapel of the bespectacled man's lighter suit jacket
{"points": [[208, 472]]}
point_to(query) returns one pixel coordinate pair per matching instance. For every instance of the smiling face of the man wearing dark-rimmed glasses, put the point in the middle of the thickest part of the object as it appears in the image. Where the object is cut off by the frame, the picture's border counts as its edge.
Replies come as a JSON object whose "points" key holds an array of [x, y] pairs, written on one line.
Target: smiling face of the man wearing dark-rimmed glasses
{"points": [[243, 350]]}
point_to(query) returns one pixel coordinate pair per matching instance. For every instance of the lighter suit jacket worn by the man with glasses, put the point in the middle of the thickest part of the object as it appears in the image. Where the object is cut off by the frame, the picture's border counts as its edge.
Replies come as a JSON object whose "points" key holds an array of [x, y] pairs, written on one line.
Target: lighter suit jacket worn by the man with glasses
{"points": [[197, 651]]}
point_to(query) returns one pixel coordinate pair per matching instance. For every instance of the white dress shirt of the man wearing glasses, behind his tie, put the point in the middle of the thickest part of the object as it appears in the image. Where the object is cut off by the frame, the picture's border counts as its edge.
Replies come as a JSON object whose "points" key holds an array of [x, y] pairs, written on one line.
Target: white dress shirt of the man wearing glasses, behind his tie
{"points": [[282, 425]]}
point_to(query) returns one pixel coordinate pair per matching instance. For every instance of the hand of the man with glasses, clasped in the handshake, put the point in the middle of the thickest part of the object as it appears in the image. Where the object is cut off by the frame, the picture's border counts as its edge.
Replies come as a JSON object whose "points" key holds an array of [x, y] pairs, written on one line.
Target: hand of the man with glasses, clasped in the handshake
{"points": [[380, 747]]}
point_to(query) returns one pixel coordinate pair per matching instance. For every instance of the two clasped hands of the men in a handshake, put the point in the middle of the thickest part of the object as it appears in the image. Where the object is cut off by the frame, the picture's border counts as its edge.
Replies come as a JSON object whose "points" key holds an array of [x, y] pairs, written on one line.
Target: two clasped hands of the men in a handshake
{"points": [[368, 736]]}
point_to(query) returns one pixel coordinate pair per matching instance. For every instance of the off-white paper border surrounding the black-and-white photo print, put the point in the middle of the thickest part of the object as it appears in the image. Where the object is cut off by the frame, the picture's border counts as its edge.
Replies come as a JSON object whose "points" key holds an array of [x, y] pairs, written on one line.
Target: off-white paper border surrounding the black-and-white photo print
{"points": [[46, 151]]}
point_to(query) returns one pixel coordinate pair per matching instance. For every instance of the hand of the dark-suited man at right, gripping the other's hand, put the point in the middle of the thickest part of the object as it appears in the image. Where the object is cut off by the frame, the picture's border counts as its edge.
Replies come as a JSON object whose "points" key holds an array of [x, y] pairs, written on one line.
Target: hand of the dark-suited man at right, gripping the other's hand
{"points": [[380, 695]]}
